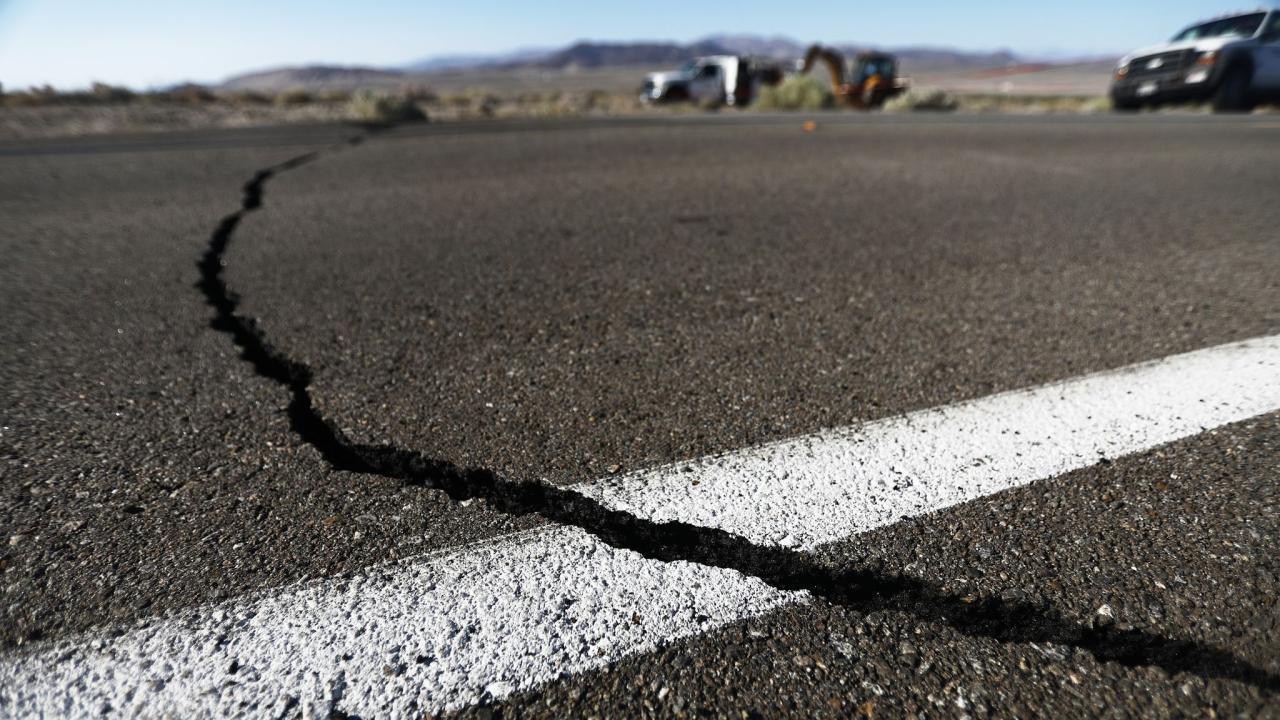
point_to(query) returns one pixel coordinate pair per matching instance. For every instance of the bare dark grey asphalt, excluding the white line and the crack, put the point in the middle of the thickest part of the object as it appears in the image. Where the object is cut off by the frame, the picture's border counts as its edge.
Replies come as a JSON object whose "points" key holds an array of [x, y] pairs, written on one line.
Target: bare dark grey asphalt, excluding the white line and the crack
{"points": [[563, 302]]}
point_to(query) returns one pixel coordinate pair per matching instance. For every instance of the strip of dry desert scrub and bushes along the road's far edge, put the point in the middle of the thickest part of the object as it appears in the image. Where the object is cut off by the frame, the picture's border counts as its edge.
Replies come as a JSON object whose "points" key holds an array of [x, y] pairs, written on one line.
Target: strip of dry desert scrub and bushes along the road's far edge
{"points": [[45, 112]]}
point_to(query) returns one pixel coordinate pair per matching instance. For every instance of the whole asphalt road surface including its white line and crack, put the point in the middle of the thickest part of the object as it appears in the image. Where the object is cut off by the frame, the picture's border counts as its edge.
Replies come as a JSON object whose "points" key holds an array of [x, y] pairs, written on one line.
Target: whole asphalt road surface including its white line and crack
{"points": [[362, 422]]}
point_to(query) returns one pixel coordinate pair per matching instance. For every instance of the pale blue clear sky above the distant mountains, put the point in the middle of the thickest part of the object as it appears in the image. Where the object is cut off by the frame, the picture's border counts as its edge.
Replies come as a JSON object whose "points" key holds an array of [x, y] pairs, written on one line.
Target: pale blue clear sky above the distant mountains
{"points": [[149, 43]]}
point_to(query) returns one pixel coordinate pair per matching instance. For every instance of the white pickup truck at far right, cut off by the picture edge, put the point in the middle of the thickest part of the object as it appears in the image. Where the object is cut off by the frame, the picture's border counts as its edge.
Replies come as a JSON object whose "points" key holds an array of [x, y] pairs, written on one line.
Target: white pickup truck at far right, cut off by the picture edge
{"points": [[1231, 62]]}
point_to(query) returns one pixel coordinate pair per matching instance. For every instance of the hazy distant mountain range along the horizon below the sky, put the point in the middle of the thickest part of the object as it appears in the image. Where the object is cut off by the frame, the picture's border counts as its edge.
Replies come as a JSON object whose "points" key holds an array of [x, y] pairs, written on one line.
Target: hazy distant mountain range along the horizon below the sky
{"points": [[595, 56]]}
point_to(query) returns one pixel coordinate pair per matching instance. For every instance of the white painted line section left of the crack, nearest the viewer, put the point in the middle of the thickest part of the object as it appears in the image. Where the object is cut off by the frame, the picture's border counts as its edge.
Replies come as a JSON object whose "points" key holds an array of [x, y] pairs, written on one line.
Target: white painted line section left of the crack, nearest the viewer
{"points": [[426, 636]]}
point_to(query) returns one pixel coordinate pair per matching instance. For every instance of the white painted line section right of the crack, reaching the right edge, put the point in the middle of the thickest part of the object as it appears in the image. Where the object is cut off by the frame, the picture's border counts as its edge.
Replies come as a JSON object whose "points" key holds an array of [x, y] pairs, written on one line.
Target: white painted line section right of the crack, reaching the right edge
{"points": [[826, 487]]}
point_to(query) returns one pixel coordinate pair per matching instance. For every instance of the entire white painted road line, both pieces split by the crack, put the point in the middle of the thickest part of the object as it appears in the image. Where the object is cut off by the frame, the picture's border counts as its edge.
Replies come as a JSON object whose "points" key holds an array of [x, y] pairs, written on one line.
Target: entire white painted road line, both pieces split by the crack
{"points": [[447, 631]]}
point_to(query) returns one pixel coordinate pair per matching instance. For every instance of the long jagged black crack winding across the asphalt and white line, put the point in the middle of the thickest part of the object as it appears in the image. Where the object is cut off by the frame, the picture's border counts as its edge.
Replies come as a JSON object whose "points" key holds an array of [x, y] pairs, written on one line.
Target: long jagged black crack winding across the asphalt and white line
{"points": [[861, 590]]}
